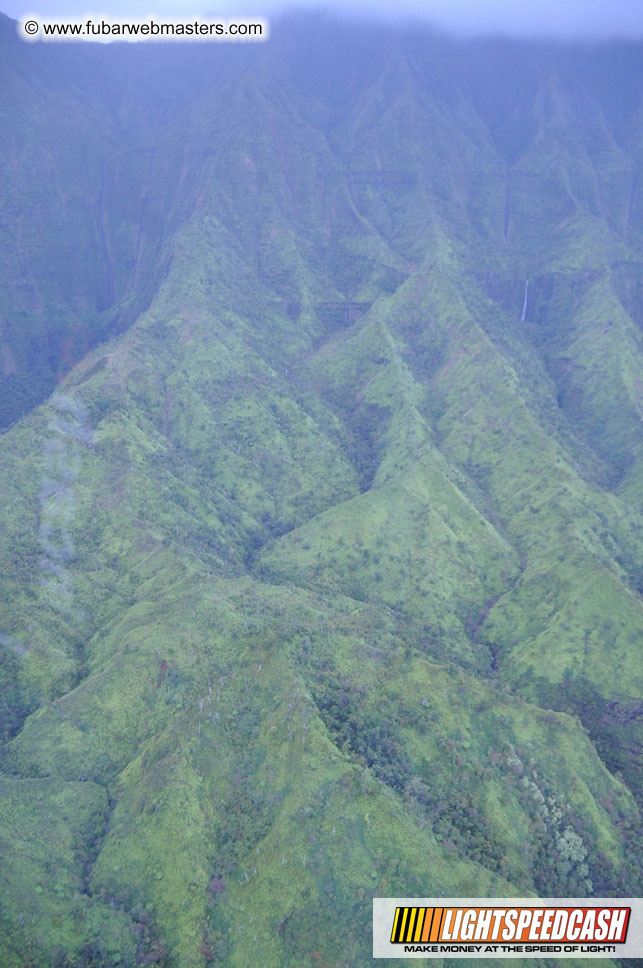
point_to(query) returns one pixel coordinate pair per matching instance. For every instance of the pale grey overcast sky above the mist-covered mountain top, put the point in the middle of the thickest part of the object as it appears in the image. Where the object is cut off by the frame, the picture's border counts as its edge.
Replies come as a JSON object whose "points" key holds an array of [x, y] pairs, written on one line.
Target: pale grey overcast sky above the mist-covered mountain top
{"points": [[558, 18]]}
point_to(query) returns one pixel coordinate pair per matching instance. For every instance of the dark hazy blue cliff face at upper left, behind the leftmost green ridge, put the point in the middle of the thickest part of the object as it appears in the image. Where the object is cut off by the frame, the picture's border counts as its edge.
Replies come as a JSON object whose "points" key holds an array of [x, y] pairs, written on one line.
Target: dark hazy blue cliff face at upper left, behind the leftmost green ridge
{"points": [[74, 263]]}
